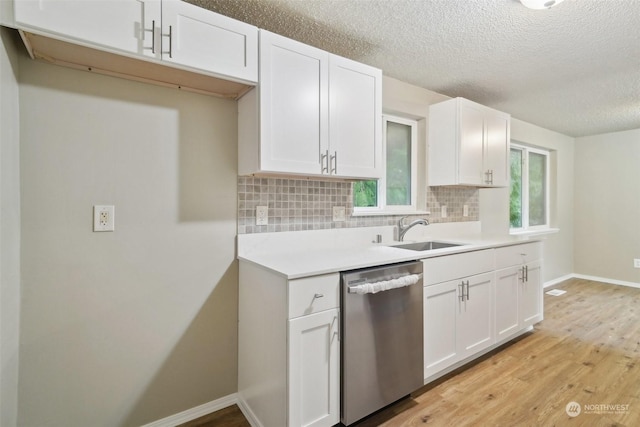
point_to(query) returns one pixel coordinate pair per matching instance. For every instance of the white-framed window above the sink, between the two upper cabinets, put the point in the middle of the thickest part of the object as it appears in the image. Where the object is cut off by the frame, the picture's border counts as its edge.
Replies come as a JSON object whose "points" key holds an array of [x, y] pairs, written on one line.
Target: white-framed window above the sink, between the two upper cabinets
{"points": [[397, 190]]}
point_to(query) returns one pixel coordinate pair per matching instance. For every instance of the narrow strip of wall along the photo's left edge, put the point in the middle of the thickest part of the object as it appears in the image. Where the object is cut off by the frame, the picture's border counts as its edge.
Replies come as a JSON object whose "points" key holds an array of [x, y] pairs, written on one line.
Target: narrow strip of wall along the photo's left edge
{"points": [[9, 230]]}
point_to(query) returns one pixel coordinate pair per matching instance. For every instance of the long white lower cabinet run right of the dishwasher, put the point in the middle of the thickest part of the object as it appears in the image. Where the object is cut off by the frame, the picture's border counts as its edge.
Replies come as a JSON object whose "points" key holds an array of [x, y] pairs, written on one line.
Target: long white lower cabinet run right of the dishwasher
{"points": [[475, 301]]}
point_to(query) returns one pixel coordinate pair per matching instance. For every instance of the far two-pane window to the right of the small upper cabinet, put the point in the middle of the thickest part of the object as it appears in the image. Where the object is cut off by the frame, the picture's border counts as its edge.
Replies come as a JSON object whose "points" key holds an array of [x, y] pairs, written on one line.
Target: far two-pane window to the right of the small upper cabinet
{"points": [[529, 196]]}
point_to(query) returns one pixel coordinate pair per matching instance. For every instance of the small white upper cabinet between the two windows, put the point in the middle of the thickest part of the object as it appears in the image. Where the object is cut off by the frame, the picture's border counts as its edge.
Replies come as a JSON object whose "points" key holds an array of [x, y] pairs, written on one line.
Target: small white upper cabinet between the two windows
{"points": [[468, 144]]}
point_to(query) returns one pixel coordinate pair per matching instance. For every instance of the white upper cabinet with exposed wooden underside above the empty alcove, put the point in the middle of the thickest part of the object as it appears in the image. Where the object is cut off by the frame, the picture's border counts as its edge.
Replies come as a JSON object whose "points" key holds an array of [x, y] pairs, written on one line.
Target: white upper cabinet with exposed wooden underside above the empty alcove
{"points": [[166, 42]]}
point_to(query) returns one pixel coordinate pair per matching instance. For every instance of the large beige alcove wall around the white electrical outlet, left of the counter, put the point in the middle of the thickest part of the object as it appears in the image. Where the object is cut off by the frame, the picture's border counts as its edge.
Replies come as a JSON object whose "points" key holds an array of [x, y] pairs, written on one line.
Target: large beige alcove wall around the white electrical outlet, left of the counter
{"points": [[124, 328]]}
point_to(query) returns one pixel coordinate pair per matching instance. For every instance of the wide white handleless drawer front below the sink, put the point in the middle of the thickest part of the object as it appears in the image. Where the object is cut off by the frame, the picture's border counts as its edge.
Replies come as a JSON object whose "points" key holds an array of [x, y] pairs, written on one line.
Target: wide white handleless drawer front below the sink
{"points": [[451, 267]]}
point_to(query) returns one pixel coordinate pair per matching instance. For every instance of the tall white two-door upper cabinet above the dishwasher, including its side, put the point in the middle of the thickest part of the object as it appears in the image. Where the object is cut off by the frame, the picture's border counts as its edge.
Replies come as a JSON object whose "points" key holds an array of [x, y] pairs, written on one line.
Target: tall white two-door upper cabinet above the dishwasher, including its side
{"points": [[314, 114]]}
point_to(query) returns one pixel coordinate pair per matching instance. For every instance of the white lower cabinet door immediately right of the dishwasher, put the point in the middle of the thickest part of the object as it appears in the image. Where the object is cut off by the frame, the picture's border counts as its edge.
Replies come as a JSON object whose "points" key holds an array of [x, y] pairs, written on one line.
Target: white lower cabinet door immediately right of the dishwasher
{"points": [[441, 303]]}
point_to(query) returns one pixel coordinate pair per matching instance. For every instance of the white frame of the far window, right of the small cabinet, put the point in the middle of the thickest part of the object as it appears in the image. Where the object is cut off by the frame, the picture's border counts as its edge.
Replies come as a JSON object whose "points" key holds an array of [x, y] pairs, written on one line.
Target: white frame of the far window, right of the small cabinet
{"points": [[526, 150]]}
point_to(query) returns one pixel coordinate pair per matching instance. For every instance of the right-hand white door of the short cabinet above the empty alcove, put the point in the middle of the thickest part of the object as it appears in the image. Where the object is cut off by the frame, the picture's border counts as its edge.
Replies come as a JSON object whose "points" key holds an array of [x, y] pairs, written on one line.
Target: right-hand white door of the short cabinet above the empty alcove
{"points": [[199, 38]]}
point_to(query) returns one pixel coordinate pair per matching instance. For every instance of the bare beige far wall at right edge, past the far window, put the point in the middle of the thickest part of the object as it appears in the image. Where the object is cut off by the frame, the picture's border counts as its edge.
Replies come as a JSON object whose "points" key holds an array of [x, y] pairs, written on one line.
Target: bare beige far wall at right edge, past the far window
{"points": [[607, 179]]}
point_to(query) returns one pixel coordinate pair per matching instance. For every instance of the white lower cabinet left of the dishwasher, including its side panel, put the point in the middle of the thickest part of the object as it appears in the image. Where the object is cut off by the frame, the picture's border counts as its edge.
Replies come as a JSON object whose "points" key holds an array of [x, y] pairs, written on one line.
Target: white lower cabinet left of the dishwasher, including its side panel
{"points": [[288, 348]]}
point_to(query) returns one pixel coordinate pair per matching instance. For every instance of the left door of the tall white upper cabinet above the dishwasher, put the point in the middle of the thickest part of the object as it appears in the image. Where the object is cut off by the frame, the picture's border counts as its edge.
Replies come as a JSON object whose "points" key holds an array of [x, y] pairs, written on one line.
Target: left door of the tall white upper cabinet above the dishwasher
{"points": [[294, 112]]}
